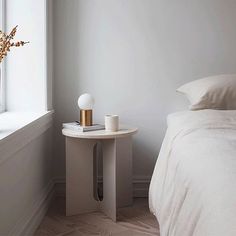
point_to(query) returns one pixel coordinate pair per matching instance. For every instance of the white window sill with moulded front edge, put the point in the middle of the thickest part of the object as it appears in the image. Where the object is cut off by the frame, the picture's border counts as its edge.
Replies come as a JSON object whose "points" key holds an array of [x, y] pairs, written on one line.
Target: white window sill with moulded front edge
{"points": [[17, 129]]}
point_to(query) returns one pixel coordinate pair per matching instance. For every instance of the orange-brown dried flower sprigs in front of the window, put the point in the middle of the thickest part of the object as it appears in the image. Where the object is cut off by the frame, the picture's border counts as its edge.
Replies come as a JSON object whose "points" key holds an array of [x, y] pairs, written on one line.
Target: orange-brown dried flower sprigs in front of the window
{"points": [[6, 43]]}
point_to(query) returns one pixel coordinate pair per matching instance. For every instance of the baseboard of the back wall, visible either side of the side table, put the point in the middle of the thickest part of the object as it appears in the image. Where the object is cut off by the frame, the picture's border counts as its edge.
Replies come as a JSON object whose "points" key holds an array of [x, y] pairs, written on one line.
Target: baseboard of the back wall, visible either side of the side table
{"points": [[140, 186]]}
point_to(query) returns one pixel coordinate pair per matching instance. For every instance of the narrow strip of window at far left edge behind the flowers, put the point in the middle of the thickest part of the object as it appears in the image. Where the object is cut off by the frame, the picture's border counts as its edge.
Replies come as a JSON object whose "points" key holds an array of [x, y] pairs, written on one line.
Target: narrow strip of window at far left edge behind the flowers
{"points": [[2, 66]]}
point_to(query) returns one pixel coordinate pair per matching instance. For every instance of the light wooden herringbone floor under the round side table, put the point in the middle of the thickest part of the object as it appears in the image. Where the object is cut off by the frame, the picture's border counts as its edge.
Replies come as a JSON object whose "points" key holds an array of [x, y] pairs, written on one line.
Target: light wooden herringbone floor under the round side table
{"points": [[132, 221]]}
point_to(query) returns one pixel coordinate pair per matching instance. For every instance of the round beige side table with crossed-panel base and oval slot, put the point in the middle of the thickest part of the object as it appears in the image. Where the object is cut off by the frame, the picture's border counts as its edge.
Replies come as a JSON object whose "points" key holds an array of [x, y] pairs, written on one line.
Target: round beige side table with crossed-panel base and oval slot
{"points": [[80, 171]]}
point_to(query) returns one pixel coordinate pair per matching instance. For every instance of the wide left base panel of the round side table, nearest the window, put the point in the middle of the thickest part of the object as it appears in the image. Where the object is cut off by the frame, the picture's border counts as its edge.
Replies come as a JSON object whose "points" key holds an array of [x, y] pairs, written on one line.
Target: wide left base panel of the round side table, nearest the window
{"points": [[79, 176]]}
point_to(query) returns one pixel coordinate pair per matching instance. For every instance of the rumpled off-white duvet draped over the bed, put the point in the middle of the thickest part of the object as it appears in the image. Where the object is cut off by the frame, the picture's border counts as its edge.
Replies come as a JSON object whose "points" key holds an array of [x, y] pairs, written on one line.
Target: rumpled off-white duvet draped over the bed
{"points": [[193, 188]]}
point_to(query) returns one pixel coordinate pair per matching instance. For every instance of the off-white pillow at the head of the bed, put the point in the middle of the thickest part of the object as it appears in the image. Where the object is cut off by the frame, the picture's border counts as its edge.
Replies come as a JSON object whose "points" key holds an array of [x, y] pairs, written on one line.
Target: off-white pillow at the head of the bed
{"points": [[214, 92]]}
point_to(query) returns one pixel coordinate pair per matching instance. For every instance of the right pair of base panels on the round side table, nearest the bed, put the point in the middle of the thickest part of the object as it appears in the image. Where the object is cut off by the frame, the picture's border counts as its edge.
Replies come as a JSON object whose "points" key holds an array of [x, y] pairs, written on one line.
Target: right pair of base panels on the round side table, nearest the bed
{"points": [[117, 175]]}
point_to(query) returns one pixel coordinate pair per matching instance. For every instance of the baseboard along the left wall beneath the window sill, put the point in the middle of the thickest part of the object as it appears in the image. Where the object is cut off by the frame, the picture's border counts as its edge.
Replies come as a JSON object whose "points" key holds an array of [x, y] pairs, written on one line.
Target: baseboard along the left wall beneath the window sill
{"points": [[33, 216]]}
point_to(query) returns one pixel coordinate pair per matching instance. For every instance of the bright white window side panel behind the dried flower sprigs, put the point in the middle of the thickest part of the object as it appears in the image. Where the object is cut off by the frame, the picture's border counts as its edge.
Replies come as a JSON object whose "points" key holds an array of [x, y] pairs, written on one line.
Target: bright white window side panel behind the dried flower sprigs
{"points": [[26, 66]]}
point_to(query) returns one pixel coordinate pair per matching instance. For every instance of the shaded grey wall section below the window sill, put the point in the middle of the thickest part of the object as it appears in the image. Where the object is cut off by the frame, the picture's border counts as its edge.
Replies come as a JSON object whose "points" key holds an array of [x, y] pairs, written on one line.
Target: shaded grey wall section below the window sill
{"points": [[24, 179]]}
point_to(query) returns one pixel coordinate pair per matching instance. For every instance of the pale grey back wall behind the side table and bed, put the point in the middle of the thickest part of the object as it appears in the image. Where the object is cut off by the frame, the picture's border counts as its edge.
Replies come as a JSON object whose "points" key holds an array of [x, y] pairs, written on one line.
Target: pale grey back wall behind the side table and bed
{"points": [[132, 55]]}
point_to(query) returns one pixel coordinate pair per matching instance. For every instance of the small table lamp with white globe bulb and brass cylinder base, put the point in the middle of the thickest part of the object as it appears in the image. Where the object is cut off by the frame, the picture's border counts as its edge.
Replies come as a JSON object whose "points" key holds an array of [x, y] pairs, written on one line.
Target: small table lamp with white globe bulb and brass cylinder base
{"points": [[86, 103]]}
